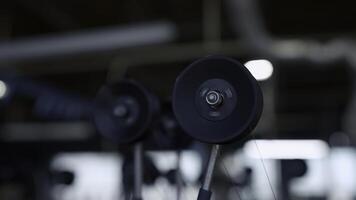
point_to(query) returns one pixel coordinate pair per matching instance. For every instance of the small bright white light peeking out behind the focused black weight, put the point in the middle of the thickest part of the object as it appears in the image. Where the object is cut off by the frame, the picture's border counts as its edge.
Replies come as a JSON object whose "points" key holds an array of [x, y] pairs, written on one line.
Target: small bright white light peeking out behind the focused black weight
{"points": [[260, 69]]}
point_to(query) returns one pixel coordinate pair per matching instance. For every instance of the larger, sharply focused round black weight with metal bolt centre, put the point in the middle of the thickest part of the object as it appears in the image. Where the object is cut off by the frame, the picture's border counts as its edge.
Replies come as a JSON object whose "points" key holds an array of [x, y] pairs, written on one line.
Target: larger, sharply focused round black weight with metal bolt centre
{"points": [[237, 118]]}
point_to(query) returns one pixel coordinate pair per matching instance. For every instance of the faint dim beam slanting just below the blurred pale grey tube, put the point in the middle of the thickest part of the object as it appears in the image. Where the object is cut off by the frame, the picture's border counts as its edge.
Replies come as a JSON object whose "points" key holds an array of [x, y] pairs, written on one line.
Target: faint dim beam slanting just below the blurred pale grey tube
{"points": [[163, 53]]}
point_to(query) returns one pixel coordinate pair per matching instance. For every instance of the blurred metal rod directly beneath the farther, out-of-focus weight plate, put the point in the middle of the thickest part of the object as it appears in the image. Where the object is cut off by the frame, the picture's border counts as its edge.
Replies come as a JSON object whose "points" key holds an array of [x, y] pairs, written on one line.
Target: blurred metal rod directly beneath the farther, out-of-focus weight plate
{"points": [[138, 176]]}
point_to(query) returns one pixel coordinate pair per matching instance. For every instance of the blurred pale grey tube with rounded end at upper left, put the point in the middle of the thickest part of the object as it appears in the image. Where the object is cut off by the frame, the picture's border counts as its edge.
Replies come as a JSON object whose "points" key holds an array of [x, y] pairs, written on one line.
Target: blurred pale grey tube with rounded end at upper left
{"points": [[87, 42]]}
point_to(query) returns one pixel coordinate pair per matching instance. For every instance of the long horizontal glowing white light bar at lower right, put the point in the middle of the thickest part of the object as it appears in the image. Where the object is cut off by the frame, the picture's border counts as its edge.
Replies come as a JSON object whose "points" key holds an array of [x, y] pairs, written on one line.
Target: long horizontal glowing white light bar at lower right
{"points": [[286, 149]]}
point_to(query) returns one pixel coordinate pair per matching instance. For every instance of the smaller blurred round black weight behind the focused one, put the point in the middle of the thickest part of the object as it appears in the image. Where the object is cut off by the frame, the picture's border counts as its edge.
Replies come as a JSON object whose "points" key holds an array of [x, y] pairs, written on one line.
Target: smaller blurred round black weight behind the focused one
{"points": [[124, 110]]}
